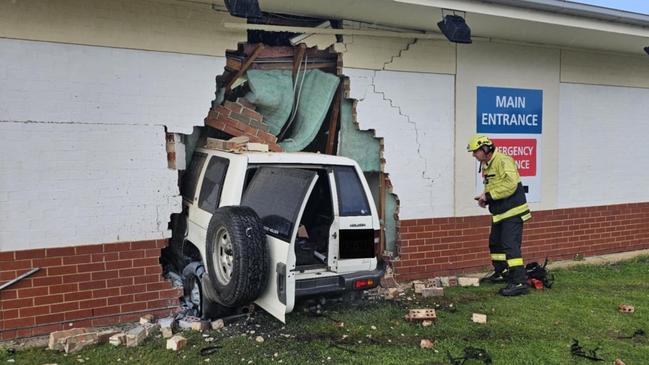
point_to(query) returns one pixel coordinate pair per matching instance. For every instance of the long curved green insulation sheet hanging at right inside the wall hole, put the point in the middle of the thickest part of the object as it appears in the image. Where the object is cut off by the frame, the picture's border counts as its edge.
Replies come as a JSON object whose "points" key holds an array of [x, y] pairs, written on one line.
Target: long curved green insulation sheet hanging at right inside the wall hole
{"points": [[313, 97]]}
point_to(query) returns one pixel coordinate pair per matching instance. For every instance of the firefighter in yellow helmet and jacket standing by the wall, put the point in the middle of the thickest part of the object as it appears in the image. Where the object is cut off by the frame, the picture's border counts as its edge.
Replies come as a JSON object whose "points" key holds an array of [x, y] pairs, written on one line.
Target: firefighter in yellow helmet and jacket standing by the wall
{"points": [[505, 196]]}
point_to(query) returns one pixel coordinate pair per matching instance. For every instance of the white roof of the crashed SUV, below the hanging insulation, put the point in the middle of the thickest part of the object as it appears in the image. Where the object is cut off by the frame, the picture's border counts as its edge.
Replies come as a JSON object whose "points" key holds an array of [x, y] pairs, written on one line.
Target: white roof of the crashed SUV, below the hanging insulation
{"points": [[283, 157]]}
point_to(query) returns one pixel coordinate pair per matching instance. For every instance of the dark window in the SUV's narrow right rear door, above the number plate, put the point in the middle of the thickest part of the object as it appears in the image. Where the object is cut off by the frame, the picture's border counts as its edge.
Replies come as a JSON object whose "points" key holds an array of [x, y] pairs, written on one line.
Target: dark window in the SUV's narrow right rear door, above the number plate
{"points": [[351, 196]]}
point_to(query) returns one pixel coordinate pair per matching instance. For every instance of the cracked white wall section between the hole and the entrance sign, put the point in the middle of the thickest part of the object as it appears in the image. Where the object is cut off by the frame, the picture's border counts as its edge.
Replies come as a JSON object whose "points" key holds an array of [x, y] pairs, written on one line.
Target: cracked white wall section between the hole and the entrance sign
{"points": [[413, 112]]}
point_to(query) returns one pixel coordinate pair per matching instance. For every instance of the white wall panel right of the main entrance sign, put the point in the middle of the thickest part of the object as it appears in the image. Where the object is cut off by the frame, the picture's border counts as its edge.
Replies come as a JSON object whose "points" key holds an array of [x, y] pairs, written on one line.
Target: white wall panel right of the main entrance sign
{"points": [[602, 145]]}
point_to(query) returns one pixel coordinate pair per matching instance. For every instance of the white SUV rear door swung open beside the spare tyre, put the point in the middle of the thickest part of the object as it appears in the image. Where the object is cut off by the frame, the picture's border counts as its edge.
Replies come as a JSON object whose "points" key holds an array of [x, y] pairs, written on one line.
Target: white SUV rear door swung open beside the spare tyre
{"points": [[279, 196]]}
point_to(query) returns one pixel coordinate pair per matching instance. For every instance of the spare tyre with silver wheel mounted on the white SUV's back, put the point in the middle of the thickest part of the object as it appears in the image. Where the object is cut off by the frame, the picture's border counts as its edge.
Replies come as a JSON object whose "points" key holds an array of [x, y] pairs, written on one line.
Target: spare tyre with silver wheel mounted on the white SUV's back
{"points": [[237, 256]]}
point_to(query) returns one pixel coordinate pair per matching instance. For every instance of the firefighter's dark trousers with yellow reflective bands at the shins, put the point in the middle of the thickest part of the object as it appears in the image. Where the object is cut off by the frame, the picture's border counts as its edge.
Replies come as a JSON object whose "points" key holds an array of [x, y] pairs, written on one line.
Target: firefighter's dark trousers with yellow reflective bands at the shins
{"points": [[505, 248]]}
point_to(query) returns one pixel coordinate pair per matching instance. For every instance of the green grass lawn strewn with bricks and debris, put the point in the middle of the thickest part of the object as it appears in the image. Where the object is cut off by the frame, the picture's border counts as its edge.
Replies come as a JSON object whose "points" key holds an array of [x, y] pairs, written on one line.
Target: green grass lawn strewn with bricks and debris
{"points": [[532, 329]]}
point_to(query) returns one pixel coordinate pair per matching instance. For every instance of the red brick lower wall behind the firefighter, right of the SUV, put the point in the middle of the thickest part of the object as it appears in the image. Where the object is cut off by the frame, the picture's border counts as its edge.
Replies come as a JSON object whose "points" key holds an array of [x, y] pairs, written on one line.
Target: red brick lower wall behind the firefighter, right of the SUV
{"points": [[441, 246]]}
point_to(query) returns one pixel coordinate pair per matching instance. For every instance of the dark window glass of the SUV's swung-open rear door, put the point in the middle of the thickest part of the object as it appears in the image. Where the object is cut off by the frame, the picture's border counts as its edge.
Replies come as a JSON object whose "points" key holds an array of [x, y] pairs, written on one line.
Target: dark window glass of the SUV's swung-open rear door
{"points": [[277, 194]]}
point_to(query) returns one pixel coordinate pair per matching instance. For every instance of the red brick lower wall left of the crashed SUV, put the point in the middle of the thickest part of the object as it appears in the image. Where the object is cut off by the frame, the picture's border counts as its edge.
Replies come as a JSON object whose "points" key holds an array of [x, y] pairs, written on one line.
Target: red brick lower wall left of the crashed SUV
{"points": [[83, 286]]}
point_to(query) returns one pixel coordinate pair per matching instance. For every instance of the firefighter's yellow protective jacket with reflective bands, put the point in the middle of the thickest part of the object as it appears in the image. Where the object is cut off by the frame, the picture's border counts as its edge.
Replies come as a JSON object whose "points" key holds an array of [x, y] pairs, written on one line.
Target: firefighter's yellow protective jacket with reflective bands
{"points": [[503, 188]]}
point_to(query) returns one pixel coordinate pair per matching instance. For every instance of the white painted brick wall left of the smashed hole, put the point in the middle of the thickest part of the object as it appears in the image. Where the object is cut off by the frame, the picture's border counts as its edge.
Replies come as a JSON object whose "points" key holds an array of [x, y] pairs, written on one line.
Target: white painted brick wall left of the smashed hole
{"points": [[91, 167]]}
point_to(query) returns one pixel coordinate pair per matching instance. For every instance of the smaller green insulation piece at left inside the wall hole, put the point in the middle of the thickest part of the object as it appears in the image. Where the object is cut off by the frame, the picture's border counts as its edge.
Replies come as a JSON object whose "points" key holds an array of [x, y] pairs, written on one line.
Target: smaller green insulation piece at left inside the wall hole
{"points": [[272, 94]]}
